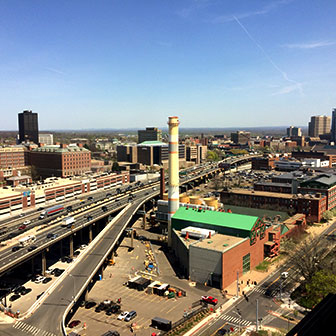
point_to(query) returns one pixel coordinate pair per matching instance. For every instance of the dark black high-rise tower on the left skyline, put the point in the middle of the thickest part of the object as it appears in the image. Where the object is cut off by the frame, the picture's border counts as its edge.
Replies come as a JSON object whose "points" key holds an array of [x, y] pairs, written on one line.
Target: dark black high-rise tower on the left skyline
{"points": [[28, 127]]}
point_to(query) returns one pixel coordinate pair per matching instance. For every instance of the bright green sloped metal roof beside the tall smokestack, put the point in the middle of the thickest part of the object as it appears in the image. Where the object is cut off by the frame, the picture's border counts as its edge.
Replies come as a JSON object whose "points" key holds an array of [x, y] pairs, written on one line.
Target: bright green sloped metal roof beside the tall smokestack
{"points": [[224, 219]]}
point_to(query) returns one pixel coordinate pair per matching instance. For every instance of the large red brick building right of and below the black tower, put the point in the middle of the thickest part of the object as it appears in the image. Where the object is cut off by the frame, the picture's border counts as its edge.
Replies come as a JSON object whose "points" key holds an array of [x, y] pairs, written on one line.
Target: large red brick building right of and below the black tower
{"points": [[60, 160]]}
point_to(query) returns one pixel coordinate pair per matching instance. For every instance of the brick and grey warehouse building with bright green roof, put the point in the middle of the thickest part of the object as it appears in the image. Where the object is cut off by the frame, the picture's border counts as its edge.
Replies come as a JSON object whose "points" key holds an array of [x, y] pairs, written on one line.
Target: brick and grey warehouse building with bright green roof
{"points": [[212, 247]]}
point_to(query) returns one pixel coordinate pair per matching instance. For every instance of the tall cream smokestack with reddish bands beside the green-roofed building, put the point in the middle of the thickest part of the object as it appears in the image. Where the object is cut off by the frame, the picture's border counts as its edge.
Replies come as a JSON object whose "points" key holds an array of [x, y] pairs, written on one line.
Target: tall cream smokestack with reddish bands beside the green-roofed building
{"points": [[173, 191]]}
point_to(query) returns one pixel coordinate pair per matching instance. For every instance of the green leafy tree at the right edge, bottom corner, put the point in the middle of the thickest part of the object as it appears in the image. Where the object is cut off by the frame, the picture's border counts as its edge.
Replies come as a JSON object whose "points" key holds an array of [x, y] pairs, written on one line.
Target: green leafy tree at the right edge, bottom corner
{"points": [[322, 283]]}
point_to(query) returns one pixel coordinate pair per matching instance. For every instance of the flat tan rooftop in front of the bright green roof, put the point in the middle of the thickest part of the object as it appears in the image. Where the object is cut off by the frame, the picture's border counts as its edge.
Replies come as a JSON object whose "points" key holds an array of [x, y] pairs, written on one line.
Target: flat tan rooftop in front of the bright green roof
{"points": [[218, 242]]}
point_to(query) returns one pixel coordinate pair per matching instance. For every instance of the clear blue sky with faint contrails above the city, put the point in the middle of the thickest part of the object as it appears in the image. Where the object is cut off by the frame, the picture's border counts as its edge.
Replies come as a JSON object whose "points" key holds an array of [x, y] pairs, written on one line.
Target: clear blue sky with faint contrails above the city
{"points": [[132, 63]]}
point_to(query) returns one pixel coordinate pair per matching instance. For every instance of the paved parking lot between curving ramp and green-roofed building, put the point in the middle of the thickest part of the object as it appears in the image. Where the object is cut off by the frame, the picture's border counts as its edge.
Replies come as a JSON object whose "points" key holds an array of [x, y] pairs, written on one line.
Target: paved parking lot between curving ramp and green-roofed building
{"points": [[111, 287]]}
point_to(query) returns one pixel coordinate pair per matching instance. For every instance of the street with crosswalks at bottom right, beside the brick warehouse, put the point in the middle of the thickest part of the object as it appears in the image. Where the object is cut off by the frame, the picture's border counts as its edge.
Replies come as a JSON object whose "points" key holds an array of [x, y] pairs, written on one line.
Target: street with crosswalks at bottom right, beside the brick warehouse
{"points": [[243, 313]]}
